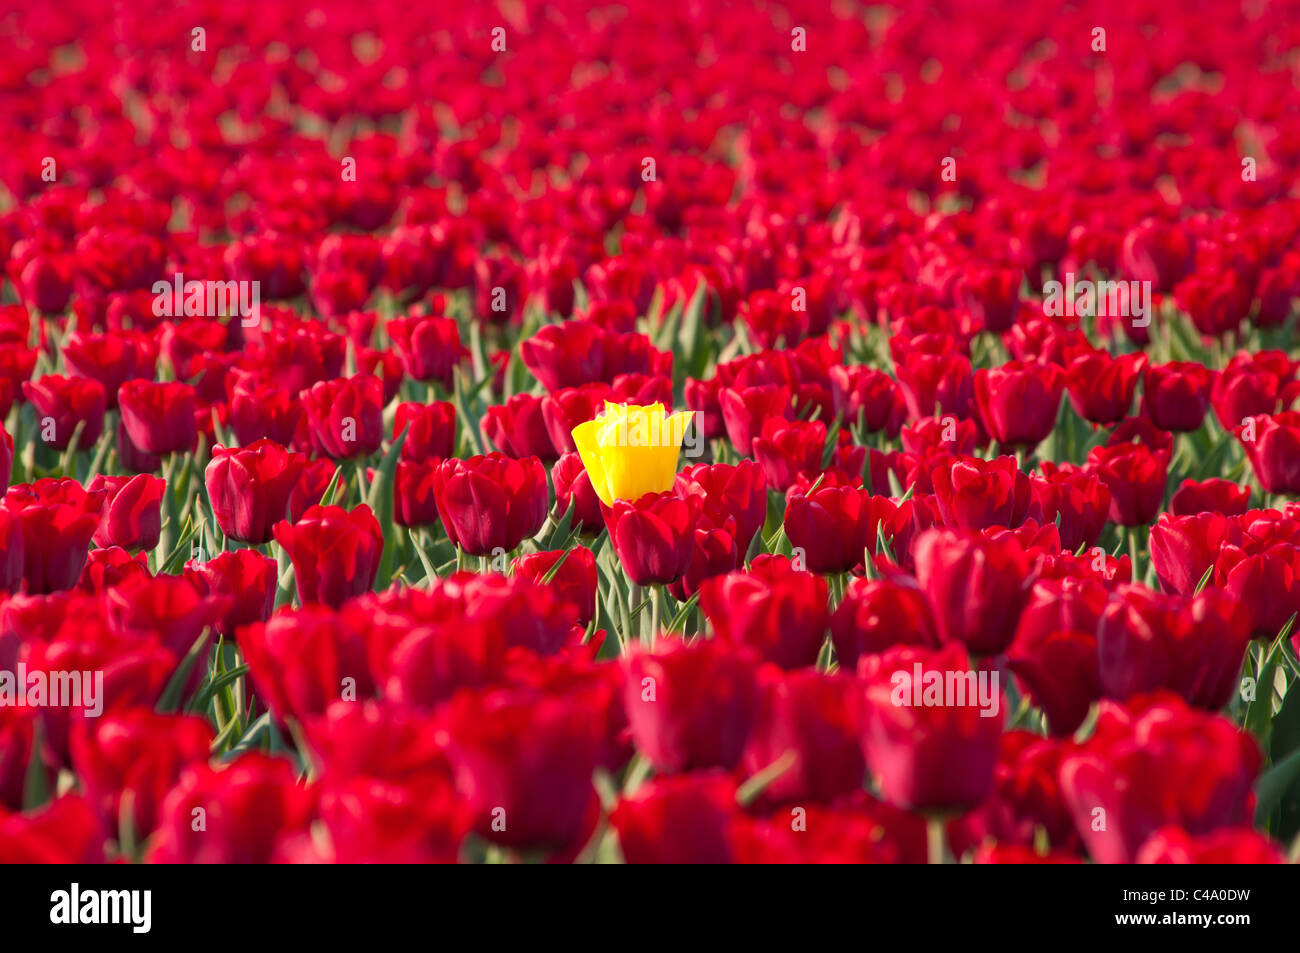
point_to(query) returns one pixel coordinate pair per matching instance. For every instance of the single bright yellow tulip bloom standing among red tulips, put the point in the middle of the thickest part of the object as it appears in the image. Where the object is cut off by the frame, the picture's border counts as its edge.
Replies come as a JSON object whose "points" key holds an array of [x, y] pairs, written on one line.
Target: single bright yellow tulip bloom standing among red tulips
{"points": [[630, 452]]}
